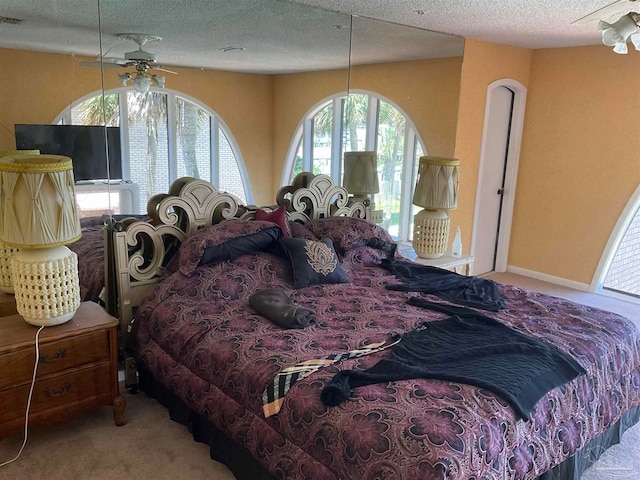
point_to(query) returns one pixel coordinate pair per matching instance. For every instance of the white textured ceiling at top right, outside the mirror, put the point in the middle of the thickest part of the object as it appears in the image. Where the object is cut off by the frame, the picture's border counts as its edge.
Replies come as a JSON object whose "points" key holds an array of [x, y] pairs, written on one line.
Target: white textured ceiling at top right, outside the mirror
{"points": [[522, 23]]}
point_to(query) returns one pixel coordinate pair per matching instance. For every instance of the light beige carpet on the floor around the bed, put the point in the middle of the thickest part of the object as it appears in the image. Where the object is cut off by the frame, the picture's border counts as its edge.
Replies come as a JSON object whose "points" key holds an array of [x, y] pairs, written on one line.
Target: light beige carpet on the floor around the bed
{"points": [[152, 447]]}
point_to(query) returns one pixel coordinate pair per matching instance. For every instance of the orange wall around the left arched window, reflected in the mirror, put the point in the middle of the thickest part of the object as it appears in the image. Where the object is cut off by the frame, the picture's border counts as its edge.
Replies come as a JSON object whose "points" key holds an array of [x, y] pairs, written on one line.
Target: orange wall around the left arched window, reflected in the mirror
{"points": [[37, 87]]}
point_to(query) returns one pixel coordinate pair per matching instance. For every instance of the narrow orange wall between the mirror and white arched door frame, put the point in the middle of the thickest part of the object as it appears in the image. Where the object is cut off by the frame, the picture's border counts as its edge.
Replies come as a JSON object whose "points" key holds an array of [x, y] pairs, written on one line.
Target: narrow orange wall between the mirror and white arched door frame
{"points": [[483, 64]]}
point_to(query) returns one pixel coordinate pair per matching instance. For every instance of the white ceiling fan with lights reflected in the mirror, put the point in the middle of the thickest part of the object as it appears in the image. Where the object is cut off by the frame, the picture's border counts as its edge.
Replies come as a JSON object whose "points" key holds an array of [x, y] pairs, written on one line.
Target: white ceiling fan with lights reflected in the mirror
{"points": [[140, 59]]}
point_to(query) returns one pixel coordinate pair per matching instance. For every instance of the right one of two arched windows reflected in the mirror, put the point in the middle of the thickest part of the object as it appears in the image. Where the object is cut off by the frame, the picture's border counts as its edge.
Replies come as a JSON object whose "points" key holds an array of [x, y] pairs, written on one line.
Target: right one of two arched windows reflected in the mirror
{"points": [[362, 121]]}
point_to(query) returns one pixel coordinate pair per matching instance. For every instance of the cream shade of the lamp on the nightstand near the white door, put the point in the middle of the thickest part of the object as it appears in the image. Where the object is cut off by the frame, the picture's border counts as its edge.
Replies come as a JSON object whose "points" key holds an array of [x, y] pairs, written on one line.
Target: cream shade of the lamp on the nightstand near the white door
{"points": [[437, 184]]}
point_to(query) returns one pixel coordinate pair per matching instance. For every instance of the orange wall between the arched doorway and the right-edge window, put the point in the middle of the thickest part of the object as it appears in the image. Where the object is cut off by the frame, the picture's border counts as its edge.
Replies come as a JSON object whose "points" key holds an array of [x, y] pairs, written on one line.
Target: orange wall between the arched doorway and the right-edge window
{"points": [[579, 163]]}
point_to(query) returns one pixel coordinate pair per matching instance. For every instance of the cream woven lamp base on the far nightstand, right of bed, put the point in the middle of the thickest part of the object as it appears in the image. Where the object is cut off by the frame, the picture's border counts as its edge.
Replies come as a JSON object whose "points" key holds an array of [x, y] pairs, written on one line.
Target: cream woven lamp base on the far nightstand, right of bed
{"points": [[430, 233]]}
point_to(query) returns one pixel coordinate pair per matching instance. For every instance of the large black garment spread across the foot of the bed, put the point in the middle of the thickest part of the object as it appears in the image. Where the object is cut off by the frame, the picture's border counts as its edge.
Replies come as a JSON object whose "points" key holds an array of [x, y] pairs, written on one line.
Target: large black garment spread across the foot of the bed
{"points": [[472, 349]]}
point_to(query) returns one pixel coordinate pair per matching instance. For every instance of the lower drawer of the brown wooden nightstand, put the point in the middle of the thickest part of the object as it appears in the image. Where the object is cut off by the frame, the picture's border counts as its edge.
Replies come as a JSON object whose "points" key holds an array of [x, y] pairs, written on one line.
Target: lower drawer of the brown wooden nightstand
{"points": [[89, 386]]}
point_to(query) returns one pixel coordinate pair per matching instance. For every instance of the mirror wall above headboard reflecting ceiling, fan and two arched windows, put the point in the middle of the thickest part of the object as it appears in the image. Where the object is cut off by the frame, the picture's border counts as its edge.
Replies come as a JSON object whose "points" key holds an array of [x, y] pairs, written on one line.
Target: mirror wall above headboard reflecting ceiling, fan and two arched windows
{"points": [[244, 94]]}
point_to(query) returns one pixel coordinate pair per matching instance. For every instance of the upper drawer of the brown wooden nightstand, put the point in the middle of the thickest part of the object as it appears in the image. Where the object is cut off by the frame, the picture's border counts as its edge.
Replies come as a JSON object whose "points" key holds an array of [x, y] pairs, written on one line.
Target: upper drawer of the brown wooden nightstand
{"points": [[17, 367]]}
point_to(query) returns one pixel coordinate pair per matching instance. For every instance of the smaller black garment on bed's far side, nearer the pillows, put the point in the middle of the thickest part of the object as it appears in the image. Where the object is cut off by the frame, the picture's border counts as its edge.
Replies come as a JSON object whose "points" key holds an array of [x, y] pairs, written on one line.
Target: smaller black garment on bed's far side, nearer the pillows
{"points": [[470, 291]]}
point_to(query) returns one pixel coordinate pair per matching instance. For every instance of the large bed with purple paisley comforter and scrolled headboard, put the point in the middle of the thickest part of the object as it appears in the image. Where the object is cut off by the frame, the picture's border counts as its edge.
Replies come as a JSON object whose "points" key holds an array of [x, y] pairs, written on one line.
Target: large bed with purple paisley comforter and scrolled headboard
{"points": [[206, 353]]}
